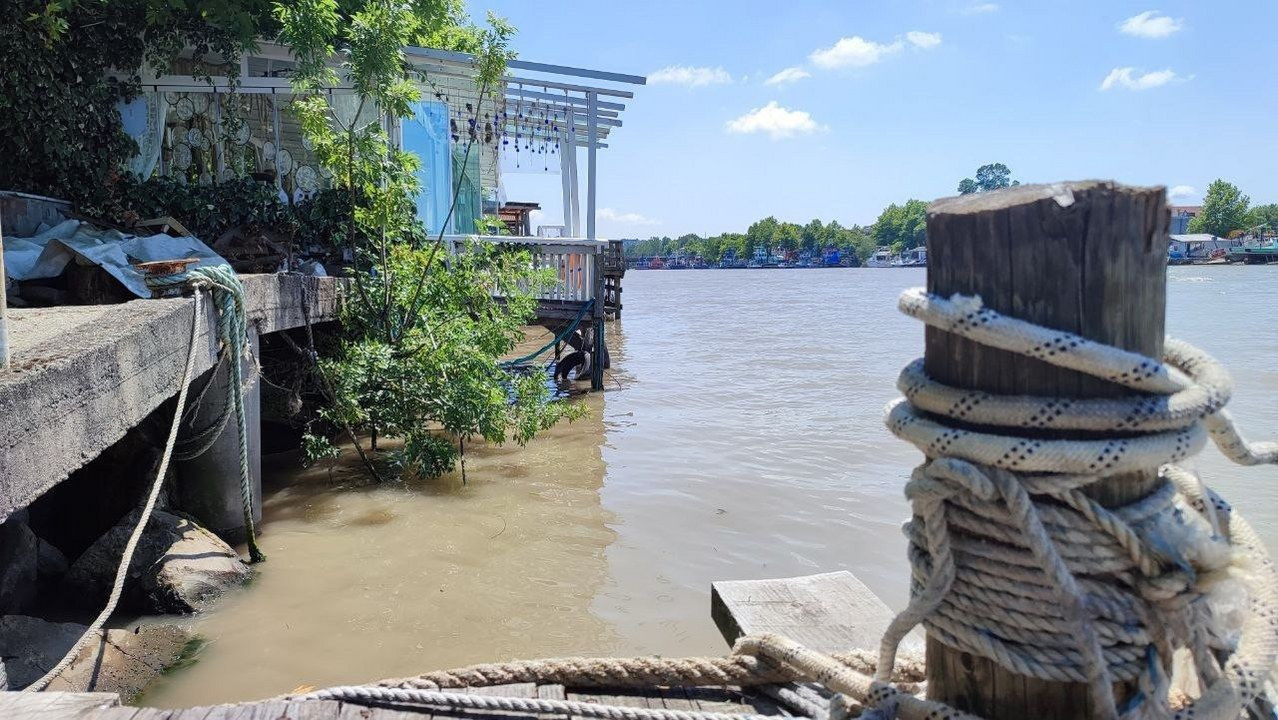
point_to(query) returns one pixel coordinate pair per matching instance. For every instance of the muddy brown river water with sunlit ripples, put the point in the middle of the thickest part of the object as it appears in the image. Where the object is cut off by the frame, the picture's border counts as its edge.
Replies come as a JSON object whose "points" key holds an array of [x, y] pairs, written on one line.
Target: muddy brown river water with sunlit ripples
{"points": [[741, 438]]}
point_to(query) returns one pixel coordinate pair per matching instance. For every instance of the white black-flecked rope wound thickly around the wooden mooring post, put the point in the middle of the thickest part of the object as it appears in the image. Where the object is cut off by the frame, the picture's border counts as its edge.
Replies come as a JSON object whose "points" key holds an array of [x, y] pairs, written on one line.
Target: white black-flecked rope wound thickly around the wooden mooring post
{"points": [[1014, 562]]}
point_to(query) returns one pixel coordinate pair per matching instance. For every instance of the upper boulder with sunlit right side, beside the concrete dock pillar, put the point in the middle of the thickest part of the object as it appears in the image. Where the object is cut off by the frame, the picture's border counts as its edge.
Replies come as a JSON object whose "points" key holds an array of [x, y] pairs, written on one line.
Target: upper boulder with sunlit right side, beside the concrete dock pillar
{"points": [[178, 567]]}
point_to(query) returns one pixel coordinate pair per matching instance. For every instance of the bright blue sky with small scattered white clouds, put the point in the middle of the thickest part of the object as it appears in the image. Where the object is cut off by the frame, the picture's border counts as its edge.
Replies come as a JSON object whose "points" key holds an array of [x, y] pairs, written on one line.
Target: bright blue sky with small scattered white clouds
{"points": [[903, 99]]}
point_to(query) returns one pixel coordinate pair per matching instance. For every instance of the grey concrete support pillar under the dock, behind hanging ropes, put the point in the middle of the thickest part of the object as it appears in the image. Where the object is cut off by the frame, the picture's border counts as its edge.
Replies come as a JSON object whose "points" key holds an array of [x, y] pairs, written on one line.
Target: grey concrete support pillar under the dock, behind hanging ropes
{"points": [[209, 485]]}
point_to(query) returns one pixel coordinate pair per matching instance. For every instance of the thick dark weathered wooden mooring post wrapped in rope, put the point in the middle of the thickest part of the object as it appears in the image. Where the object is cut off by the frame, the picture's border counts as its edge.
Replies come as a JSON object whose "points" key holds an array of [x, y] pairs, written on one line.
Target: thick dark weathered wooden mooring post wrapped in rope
{"points": [[1086, 258]]}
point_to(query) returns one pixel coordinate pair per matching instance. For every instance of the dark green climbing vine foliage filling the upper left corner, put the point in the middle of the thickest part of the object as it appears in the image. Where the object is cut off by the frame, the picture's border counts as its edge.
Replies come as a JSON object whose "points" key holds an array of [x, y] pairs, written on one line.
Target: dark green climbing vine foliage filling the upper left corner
{"points": [[57, 99]]}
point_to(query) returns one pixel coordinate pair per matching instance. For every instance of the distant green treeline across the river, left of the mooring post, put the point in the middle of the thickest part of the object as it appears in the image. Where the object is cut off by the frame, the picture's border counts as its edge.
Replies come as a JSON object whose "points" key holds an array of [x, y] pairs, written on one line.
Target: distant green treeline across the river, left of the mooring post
{"points": [[899, 227]]}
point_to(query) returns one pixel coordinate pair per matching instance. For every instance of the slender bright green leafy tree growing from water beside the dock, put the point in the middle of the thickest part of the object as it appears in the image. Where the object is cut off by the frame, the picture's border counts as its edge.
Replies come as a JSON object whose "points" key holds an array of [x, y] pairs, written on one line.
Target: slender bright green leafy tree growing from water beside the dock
{"points": [[424, 337]]}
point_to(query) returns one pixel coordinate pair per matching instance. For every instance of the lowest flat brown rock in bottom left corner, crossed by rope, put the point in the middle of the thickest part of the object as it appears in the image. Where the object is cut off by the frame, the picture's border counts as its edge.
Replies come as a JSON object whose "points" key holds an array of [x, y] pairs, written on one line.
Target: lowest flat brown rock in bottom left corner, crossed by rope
{"points": [[122, 662]]}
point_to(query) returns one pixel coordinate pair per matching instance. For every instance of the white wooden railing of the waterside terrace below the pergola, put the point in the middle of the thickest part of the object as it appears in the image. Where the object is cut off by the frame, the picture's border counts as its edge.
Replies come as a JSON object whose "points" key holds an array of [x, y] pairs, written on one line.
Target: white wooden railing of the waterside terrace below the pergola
{"points": [[577, 263]]}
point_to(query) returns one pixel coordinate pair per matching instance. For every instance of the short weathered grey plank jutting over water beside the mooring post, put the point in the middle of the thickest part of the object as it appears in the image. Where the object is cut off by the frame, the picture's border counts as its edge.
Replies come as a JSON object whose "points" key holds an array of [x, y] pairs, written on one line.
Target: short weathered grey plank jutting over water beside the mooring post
{"points": [[829, 612]]}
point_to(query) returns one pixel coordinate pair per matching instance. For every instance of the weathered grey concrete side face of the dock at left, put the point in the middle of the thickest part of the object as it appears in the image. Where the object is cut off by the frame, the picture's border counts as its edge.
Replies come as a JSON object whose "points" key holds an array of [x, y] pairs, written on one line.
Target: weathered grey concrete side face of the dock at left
{"points": [[82, 377]]}
